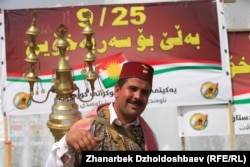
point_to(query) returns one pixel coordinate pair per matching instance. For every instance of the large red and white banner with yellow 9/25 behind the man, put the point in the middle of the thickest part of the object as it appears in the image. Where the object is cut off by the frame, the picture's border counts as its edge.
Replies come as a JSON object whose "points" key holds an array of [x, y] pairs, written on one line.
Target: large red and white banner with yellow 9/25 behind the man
{"points": [[181, 40]]}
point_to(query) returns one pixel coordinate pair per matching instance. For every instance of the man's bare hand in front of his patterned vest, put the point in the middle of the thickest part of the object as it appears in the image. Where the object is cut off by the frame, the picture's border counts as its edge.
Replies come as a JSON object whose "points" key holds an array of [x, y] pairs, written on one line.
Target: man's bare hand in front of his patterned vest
{"points": [[82, 140]]}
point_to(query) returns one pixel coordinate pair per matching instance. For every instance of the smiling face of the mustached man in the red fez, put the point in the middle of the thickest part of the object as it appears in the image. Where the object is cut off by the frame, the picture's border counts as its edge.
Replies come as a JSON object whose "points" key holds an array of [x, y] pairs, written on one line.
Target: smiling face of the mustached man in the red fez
{"points": [[131, 99]]}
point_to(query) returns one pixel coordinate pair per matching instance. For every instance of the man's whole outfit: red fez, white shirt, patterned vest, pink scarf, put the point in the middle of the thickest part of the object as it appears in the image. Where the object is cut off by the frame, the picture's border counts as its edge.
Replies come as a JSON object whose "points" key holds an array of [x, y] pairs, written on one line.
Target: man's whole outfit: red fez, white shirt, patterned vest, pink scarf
{"points": [[114, 137]]}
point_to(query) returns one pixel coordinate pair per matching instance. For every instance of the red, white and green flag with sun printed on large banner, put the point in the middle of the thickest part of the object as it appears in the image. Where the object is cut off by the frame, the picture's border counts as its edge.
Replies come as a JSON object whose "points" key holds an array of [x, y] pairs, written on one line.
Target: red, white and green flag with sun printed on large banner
{"points": [[109, 68]]}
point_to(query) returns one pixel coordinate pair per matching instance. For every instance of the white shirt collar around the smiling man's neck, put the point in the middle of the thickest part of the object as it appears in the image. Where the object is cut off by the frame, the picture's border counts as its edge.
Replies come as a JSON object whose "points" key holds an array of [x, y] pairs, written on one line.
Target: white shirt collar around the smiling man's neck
{"points": [[114, 118]]}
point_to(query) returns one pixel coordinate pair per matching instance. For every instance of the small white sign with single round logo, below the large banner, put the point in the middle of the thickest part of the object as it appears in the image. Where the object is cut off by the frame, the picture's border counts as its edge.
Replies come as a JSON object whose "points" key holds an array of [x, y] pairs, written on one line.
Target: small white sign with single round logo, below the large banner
{"points": [[203, 120]]}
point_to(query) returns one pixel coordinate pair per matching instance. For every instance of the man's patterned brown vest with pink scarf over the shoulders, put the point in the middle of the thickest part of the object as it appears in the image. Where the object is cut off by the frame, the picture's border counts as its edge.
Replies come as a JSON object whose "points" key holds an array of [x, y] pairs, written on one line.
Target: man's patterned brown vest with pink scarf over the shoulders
{"points": [[112, 140]]}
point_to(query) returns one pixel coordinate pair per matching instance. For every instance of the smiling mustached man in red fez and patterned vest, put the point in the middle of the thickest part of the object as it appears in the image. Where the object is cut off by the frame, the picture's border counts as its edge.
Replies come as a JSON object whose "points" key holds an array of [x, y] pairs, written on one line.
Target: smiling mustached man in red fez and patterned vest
{"points": [[115, 126]]}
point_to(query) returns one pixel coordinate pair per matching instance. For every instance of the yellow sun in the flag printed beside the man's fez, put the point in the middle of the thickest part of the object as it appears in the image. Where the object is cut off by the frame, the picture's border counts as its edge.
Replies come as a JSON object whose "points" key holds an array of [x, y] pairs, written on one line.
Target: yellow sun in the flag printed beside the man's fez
{"points": [[113, 70]]}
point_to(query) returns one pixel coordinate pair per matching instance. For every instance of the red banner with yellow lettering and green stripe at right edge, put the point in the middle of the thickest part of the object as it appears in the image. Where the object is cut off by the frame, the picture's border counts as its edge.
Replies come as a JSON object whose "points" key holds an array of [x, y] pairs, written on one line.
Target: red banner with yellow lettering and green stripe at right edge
{"points": [[239, 46]]}
